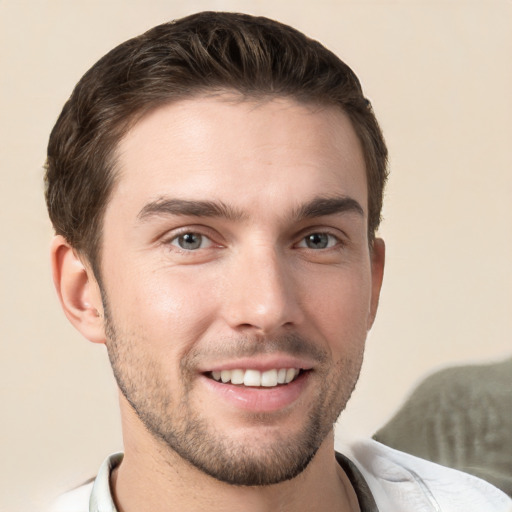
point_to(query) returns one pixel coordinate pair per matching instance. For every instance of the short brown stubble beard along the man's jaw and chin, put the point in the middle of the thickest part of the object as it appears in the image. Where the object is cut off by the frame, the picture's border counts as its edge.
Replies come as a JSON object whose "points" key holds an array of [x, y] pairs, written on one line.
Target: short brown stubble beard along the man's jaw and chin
{"points": [[182, 429]]}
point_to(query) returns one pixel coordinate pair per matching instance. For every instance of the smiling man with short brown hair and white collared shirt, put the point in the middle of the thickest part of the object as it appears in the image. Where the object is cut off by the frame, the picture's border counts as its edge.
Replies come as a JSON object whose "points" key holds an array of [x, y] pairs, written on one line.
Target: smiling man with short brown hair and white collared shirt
{"points": [[215, 185]]}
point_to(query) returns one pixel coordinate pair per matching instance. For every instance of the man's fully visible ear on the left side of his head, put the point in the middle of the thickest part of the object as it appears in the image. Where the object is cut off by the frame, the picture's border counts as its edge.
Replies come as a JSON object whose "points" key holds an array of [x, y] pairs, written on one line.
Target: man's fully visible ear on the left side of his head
{"points": [[78, 290]]}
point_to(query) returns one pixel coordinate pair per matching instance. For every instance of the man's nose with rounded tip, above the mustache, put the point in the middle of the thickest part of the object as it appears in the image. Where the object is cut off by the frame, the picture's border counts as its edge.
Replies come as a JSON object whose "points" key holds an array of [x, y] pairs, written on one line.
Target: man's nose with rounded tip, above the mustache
{"points": [[262, 293]]}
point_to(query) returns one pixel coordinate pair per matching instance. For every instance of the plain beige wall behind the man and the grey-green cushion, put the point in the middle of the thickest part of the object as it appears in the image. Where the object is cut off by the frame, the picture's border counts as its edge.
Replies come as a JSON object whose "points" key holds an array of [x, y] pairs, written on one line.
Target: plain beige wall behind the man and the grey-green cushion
{"points": [[440, 78]]}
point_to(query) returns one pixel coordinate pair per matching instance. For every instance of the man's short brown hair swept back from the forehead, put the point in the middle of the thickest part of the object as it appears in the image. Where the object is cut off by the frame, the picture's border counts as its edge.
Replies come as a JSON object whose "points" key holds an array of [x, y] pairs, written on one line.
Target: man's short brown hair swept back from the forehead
{"points": [[201, 53]]}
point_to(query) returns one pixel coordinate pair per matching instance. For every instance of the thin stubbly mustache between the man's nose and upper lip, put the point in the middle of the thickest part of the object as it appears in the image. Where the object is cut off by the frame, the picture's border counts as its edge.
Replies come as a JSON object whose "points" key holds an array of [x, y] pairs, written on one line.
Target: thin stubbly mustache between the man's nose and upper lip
{"points": [[251, 346]]}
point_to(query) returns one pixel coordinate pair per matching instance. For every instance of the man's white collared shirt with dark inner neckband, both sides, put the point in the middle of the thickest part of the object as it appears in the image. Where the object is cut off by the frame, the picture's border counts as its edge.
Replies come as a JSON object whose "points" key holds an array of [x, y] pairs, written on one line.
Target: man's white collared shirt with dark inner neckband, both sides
{"points": [[398, 482]]}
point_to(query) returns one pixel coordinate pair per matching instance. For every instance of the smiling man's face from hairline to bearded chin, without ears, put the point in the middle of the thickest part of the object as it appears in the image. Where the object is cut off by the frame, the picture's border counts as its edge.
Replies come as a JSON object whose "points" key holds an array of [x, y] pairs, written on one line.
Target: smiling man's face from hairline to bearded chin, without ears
{"points": [[237, 280]]}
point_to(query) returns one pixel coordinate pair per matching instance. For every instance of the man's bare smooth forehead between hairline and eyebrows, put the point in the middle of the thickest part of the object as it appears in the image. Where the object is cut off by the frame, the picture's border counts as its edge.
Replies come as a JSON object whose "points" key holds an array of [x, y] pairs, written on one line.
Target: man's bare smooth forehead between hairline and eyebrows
{"points": [[239, 151]]}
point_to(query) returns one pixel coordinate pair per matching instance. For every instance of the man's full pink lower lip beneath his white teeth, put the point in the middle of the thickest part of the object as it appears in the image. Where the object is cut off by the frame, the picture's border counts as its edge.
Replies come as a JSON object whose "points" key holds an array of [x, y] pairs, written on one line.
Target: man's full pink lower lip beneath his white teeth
{"points": [[259, 399]]}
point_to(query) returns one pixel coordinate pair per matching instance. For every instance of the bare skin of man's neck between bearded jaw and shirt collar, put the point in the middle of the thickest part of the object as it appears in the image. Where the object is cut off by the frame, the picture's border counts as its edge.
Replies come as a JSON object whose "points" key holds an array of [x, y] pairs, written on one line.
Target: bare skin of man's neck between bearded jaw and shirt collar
{"points": [[153, 477]]}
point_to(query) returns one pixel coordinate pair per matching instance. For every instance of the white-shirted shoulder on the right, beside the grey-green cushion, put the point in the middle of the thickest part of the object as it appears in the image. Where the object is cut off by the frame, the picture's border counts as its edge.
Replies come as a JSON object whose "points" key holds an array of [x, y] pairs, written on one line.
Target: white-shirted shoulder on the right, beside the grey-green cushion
{"points": [[402, 482]]}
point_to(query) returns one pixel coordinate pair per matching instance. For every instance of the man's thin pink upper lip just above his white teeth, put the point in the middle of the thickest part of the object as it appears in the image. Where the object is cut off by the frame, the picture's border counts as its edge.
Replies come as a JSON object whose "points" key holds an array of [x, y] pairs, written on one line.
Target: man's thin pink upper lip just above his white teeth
{"points": [[261, 363]]}
